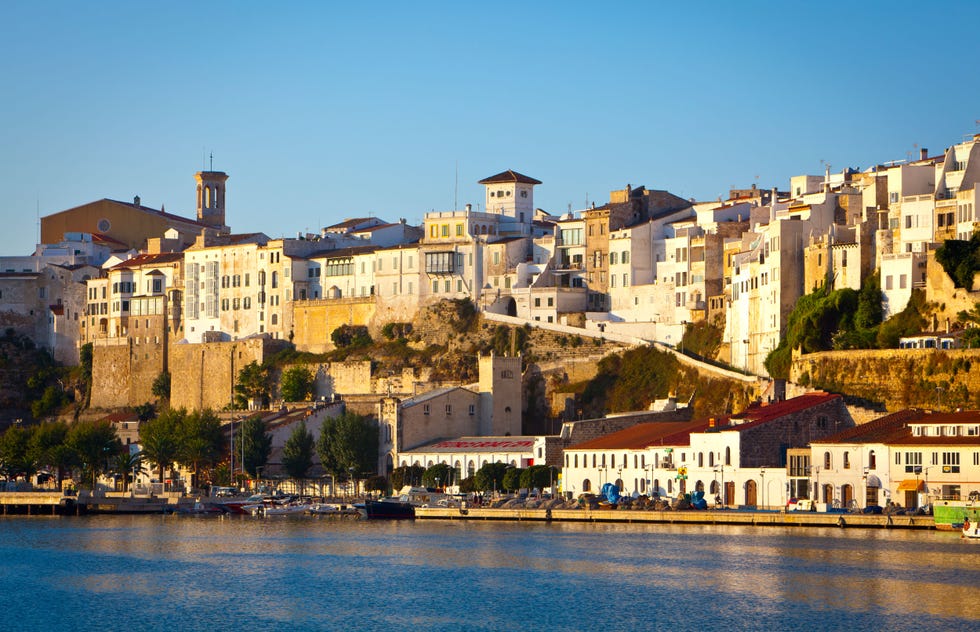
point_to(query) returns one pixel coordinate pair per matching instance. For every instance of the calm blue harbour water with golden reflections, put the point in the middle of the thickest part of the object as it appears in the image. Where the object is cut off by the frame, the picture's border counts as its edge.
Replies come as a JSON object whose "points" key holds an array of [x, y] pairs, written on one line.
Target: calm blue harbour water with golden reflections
{"points": [[186, 573]]}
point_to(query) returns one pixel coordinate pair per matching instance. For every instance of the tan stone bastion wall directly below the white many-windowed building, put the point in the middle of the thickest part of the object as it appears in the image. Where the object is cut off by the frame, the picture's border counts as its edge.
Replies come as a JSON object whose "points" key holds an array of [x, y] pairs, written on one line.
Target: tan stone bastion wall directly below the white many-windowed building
{"points": [[203, 375]]}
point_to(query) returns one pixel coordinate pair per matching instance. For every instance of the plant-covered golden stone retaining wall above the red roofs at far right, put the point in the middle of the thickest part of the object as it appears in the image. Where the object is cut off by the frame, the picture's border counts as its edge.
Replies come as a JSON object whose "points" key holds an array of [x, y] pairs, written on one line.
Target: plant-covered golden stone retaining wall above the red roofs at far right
{"points": [[896, 378]]}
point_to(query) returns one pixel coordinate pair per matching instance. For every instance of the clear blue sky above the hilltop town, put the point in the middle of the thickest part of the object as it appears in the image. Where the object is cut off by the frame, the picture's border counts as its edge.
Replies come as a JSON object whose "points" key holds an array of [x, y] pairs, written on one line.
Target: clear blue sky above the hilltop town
{"points": [[320, 111]]}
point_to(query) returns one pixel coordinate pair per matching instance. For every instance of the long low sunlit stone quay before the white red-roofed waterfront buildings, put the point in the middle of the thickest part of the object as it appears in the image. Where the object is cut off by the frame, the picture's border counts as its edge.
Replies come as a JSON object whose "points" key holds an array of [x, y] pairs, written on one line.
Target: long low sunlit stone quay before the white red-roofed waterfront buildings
{"points": [[694, 517]]}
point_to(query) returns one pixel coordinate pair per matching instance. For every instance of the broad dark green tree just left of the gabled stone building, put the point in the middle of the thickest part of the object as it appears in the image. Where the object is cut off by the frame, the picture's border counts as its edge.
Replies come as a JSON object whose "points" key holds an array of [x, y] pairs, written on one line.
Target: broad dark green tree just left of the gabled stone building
{"points": [[348, 442]]}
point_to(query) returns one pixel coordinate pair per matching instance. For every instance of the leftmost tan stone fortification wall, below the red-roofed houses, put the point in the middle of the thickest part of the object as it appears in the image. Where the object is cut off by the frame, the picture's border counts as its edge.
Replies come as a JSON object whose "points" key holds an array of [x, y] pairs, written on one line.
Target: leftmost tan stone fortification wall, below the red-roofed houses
{"points": [[123, 373]]}
